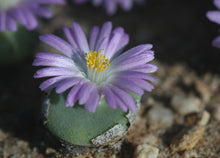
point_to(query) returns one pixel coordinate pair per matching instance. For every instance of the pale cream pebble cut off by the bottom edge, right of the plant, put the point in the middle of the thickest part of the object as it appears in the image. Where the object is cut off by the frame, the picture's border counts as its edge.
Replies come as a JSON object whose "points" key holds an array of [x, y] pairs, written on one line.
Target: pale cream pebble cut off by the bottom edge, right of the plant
{"points": [[146, 151]]}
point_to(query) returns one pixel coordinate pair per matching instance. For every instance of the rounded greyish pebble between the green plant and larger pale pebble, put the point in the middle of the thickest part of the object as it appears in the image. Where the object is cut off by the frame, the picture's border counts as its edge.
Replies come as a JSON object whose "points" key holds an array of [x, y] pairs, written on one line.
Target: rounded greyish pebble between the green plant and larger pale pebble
{"points": [[159, 116]]}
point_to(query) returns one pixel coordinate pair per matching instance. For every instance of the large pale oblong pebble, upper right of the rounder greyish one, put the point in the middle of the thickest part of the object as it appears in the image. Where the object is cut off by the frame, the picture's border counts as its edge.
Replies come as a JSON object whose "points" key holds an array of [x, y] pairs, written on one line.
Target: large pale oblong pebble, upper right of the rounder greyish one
{"points": [[185, 105]]}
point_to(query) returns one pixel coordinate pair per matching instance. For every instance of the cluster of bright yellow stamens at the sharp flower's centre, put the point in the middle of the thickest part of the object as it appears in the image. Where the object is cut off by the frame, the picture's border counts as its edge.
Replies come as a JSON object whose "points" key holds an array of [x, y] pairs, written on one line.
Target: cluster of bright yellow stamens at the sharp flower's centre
{"points": [[96, 61]]}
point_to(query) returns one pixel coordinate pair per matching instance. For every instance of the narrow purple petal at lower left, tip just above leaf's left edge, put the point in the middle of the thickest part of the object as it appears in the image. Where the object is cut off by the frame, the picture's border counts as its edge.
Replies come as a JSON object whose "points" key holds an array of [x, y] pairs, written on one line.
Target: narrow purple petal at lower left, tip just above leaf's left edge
{"points": [[51, 83]]}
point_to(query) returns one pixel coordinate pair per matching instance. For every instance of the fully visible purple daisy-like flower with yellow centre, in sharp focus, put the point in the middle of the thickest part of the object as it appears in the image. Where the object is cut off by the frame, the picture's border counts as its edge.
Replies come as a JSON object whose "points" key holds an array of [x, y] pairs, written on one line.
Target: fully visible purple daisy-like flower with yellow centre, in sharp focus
{"points": [[96, 68]]}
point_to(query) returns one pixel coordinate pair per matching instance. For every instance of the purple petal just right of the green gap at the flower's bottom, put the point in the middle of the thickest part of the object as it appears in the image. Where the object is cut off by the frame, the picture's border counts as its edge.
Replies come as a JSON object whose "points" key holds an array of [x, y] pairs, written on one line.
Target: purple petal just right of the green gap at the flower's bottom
{"points": [[109, 97]]}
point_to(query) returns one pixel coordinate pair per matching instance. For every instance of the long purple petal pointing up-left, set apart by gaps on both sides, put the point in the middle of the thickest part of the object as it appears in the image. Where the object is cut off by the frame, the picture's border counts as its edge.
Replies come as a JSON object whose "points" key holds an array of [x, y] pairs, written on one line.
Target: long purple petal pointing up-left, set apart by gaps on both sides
{"points": [[57, 43]]}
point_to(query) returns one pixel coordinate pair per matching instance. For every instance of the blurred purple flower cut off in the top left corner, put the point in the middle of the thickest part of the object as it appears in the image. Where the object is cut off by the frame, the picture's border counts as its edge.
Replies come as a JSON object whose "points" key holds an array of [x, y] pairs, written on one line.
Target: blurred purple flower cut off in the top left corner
{"points": [[23, 11]]}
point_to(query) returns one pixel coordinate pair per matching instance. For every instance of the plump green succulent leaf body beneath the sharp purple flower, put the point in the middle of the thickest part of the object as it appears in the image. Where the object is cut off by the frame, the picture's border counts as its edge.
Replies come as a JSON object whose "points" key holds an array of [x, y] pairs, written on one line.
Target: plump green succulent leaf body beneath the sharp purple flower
{"points": [[77, 126]]}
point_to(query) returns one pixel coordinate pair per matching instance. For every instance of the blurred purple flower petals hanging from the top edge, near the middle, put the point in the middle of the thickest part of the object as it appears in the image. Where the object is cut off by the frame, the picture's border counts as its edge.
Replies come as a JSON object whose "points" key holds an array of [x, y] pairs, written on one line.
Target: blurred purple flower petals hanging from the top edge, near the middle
{"points": [[111, 5]]}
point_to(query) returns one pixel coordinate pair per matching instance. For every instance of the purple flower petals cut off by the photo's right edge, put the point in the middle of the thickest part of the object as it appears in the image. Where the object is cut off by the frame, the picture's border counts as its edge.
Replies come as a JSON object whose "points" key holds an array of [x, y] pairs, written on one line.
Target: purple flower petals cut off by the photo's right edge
{"points": [[214, 16]]}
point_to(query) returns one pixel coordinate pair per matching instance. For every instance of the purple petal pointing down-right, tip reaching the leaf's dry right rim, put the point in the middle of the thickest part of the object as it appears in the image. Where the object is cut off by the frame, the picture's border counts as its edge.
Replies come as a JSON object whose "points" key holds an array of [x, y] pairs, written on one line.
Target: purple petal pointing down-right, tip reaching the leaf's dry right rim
{"points": [[125, 98]]}
